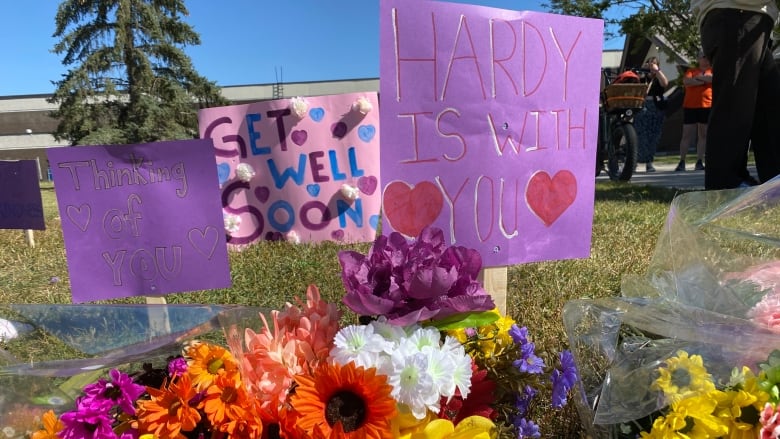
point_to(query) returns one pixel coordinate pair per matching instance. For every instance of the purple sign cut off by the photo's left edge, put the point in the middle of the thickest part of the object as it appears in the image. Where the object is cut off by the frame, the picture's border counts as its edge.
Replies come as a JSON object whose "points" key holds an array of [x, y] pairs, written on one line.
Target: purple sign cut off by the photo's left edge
{"points": [[21, 206]]}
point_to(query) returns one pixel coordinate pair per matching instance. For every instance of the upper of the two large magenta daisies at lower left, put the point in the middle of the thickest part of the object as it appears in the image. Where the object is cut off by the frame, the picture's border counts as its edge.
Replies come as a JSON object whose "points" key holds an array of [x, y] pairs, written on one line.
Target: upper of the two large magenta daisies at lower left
{"points": [[104, 394]]}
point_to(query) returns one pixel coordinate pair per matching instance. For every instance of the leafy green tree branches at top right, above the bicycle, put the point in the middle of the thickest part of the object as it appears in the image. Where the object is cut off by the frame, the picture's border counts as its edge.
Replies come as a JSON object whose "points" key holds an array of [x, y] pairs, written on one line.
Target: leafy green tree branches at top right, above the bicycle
{"points": [[669, 19]]}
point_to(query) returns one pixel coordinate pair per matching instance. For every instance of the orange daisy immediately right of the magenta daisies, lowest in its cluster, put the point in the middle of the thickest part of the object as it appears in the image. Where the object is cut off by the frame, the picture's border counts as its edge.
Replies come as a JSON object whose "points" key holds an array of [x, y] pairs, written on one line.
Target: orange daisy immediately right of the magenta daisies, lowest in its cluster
{"points": [[168, 412]]}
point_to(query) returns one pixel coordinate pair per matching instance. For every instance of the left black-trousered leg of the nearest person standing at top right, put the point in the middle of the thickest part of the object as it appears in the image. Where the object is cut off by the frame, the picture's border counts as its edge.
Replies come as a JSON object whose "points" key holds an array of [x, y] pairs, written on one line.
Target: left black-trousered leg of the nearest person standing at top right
{"points": [[733, 47]]}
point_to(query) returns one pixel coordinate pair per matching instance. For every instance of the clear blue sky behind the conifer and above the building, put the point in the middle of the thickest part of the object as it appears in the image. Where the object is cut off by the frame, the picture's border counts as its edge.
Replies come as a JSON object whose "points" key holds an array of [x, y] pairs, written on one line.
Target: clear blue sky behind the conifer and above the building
{"points": [[242, 41]]}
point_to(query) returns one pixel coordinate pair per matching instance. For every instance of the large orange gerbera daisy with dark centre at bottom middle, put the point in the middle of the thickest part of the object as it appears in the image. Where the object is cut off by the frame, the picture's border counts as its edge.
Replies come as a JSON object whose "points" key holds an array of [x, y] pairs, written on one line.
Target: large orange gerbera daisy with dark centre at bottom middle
{"points": [[343, 401]]}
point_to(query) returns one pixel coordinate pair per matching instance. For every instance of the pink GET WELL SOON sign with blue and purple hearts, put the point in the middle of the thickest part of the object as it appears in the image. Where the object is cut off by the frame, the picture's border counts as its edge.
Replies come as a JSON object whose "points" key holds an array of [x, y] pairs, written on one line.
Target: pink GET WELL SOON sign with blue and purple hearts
{"points": [[303, 169]]}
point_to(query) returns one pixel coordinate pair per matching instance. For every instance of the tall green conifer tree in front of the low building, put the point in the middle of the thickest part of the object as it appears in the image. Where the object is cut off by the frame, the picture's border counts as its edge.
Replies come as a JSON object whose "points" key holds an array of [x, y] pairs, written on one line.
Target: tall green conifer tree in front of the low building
{"points": [[129, 80]]}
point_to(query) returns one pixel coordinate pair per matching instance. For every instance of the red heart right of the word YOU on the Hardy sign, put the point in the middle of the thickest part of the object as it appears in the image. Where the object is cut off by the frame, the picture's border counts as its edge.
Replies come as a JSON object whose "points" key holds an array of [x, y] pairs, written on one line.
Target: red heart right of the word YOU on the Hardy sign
{"points": [[549, 197]]}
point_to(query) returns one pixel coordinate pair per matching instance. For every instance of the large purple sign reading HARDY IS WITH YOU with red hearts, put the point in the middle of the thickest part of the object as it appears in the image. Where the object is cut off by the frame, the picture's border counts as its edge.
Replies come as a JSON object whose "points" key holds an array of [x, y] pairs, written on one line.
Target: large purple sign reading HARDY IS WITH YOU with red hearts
{"points": [[490, 121]]}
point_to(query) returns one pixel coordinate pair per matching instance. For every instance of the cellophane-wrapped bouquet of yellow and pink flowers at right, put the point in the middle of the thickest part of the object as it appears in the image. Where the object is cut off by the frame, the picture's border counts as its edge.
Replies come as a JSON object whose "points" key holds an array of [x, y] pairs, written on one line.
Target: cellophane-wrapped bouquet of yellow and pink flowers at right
{"points": [[689, 349]]}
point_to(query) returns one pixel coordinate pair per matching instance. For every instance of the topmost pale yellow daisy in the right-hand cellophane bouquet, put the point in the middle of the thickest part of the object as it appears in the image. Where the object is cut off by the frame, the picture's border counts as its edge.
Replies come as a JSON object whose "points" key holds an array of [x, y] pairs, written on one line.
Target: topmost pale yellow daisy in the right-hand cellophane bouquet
{"points": [[683, 377]]}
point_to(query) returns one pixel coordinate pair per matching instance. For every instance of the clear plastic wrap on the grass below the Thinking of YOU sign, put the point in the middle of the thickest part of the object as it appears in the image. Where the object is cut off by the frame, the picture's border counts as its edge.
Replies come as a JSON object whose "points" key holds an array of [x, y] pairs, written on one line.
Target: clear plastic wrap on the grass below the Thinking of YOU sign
{"points": [[93, 339]]}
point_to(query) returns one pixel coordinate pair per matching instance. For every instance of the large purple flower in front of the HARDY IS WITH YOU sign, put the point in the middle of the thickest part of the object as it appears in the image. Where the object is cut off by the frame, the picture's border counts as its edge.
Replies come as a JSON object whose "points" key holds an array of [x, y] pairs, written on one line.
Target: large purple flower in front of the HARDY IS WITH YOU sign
{"points": [[413, 282]]}
